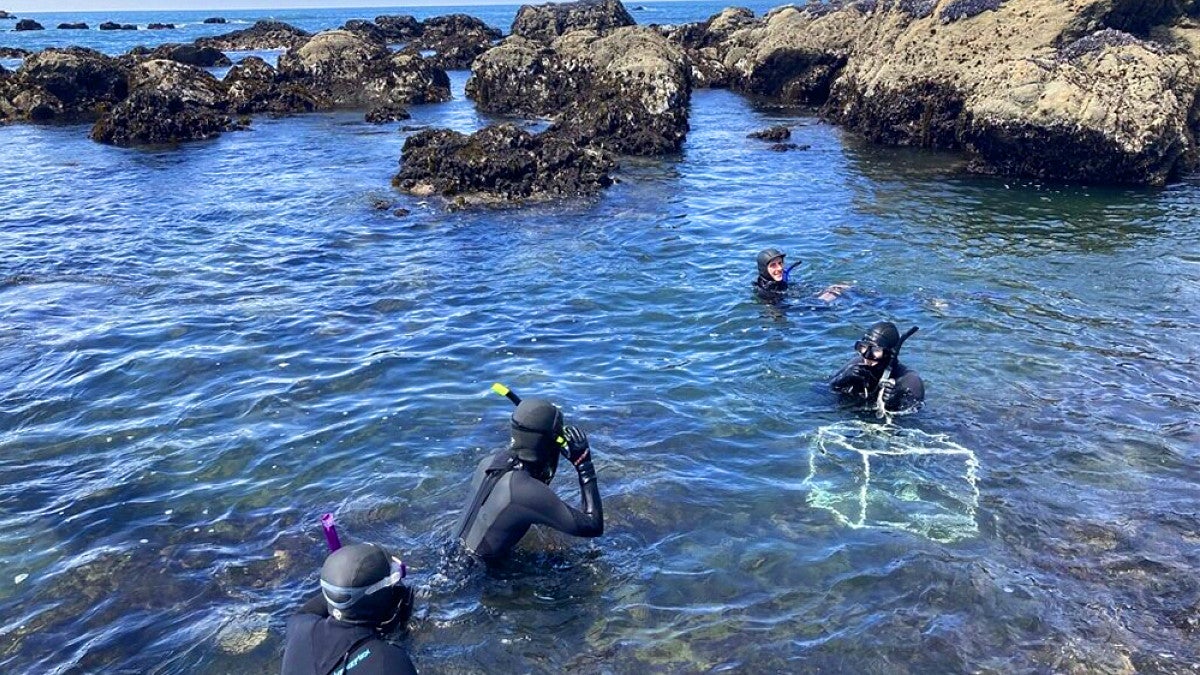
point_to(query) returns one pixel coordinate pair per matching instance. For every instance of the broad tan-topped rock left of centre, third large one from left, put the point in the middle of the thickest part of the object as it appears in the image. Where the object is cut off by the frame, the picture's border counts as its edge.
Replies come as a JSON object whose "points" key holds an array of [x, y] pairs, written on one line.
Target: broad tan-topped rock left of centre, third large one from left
{"points": [[355, 71]]}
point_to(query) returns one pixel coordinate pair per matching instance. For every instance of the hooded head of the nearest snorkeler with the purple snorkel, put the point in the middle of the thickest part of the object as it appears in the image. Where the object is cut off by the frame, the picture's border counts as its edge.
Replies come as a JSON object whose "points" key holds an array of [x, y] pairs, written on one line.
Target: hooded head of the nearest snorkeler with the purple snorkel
{"points": [[363, 586]]}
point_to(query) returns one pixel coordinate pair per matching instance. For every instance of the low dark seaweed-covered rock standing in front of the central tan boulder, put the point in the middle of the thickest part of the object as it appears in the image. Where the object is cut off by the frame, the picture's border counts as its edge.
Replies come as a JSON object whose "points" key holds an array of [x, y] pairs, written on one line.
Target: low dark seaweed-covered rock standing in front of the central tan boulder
{"points": [[500, 165]]}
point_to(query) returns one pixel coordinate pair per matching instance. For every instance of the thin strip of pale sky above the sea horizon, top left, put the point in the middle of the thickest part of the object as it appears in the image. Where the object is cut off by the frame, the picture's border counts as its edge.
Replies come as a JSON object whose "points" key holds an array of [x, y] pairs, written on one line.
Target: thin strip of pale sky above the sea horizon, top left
{"points": [[34, 7]]}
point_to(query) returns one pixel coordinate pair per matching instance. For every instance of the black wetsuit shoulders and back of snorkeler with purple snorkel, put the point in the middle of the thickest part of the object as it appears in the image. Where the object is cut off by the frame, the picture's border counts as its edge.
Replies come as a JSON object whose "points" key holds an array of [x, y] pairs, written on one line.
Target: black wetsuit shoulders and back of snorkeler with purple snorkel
{"points": [[319, 644]]}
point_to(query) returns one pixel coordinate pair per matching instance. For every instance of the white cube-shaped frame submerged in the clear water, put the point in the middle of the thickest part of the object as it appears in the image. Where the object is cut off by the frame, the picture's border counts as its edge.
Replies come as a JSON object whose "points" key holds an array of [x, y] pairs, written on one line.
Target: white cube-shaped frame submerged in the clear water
{"points": [[884, 476]]}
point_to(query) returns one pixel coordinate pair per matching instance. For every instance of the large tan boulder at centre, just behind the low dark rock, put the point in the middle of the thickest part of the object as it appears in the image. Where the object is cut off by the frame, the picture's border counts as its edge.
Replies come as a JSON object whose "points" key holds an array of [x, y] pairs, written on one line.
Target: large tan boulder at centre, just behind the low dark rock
{"points": [[627, 93]]}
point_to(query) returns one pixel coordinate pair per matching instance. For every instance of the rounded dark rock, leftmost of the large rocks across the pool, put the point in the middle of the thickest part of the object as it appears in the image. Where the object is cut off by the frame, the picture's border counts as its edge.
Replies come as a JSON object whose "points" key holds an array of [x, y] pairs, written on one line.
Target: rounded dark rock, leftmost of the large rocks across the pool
{"points": [[82, 82]]}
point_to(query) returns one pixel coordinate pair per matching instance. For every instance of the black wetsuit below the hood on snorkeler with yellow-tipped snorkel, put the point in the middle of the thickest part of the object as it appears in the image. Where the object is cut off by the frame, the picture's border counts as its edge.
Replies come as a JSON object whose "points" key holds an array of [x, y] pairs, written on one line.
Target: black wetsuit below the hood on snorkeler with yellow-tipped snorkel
{"points": [[507, 501]]}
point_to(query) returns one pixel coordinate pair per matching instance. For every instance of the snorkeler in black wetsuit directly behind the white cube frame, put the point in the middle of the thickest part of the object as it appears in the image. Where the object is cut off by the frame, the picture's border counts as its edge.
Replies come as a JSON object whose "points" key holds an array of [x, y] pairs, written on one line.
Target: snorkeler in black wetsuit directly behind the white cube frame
{"points": [[861, 379]]}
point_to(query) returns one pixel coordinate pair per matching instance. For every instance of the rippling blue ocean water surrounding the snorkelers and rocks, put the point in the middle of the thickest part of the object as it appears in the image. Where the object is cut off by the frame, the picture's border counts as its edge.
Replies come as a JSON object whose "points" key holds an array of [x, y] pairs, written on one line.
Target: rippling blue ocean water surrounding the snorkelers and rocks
{"points": [[205, 349]]}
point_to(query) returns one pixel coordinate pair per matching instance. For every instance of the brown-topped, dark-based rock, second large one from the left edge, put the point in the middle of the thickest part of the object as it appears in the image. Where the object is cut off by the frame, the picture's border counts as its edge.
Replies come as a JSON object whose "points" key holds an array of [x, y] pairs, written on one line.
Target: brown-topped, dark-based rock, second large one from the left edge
{"points": [[170, 103]]}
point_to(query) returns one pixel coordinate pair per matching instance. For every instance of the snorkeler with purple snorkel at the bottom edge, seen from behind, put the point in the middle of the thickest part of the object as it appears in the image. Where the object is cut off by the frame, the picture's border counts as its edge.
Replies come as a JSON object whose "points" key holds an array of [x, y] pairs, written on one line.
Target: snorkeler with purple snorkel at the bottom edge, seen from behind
{"points": [[343, 630]]}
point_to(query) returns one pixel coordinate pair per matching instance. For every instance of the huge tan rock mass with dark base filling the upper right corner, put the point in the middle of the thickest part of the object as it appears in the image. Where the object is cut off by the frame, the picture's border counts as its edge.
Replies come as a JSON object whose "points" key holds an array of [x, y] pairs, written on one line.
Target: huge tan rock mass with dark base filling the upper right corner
{"points": [[1027, 87]]}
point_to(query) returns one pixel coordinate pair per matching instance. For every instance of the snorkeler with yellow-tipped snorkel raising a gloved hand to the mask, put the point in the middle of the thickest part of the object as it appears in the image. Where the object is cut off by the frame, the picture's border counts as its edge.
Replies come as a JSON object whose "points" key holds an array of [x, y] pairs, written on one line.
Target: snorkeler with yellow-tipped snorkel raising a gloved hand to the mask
{"points": [[511, 492]]}
